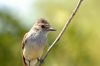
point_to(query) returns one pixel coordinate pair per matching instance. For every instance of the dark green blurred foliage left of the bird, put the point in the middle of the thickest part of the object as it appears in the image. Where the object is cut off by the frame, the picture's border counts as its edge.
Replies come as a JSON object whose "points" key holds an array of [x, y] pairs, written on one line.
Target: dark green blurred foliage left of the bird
{"points": [[11, 33]]}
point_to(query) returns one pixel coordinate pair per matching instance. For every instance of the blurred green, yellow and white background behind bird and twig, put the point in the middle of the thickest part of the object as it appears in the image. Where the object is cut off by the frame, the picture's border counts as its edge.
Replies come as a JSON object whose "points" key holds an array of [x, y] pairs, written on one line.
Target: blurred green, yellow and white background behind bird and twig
{"points": [[80, 44]]}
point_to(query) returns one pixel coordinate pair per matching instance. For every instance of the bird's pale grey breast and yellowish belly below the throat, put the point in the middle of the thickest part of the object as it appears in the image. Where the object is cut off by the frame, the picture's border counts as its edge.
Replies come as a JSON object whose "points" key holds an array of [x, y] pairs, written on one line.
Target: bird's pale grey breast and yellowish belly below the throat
{"points": [[34, 46]]}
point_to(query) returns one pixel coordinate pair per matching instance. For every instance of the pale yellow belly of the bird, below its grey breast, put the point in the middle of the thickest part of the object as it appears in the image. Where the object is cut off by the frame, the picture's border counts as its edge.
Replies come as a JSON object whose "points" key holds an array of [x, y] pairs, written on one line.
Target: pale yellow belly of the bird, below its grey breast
{"points": [[32, 52]]}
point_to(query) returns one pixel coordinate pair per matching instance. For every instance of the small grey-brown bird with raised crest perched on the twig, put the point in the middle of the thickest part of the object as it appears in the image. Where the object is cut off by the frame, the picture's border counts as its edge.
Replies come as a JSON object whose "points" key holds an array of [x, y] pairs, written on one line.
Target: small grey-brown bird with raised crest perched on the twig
{"points": [[34, 41]]}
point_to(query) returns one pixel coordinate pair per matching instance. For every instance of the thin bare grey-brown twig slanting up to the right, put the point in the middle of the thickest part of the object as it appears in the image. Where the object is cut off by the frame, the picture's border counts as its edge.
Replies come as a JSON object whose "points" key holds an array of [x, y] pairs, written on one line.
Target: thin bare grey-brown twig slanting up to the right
{"points": [[62, 31]]}
